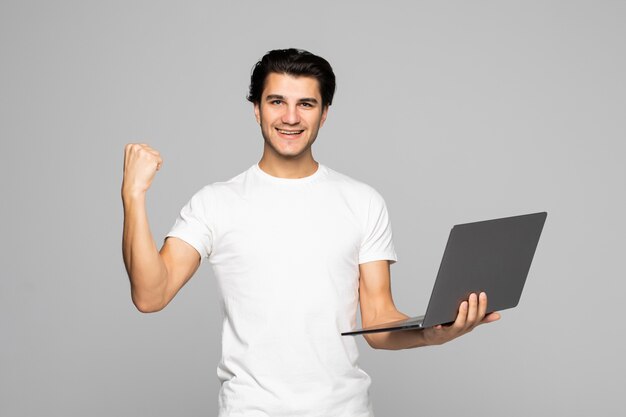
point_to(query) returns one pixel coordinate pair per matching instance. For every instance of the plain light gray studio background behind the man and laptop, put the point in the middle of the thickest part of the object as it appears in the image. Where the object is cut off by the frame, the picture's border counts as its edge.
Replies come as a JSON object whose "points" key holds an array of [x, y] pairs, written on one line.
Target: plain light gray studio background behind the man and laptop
{"points": [[454, 111]]}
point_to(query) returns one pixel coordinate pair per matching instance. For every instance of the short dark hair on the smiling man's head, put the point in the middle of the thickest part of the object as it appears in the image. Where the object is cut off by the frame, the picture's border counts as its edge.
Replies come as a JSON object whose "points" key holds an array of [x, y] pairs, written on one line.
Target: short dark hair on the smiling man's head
{"points": [[296, 62]]}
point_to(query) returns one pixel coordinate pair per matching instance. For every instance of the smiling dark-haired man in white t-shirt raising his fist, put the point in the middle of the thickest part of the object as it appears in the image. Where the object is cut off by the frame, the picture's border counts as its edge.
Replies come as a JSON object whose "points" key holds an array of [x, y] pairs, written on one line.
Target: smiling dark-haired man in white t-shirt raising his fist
{"points": [[294, 245]]}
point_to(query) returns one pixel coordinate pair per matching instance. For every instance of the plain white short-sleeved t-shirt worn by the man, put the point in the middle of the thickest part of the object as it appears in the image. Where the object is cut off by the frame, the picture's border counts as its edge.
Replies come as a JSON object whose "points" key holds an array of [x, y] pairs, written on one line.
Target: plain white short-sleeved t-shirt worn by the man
{"points": [[286, 254]]}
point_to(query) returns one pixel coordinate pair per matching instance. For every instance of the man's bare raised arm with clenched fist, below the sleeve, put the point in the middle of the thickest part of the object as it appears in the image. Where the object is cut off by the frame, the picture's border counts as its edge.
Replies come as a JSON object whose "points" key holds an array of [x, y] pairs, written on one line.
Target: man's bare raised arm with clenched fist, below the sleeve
{"points": [[155, 277]]}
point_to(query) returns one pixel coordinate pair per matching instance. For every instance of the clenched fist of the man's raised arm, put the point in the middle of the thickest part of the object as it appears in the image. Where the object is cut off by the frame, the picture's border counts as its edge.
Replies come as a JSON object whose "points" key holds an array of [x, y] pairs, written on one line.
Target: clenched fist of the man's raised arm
{"points": [[141, 163]]}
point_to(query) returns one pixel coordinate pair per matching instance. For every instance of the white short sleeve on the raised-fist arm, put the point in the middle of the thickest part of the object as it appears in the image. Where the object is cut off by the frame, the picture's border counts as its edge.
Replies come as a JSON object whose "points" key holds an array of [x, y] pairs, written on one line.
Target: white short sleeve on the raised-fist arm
{"points": [[192, 224]]}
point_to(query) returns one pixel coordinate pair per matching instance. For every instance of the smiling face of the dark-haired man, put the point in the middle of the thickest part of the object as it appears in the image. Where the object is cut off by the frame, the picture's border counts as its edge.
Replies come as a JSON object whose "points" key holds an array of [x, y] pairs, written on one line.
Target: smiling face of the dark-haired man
{"points": [[290, 113]]}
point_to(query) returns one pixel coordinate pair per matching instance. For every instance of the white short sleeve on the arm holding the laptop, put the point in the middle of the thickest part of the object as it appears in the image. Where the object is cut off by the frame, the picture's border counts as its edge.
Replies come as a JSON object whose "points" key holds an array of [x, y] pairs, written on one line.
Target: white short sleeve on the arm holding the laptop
{"points": [[377, 242]]}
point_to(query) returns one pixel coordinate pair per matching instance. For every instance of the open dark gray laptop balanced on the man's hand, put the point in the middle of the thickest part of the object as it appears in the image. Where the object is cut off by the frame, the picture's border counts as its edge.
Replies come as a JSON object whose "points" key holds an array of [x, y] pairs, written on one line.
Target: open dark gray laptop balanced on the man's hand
{"points": [[492, 256]]}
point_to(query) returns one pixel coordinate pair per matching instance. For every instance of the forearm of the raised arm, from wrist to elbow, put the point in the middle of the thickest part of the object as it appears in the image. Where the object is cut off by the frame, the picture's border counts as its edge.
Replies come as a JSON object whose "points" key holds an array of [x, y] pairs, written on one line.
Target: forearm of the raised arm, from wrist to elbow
{"points": [[145, 267]]}
